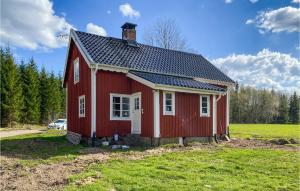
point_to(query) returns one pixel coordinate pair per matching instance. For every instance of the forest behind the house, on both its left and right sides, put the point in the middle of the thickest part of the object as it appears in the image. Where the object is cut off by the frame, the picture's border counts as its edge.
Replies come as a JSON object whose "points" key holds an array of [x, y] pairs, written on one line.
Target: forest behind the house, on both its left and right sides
{"points": [[30, 96]]}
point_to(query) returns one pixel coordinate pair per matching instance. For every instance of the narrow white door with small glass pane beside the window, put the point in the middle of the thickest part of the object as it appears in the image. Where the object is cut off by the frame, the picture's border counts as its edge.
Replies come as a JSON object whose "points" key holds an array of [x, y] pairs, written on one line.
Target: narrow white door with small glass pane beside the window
{"points": [[136, 114]]}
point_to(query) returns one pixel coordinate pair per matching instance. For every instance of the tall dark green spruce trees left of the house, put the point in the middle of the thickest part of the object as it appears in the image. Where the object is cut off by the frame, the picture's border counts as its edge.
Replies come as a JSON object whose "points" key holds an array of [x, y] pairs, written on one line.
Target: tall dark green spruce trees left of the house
{"points": [[27, 94]]}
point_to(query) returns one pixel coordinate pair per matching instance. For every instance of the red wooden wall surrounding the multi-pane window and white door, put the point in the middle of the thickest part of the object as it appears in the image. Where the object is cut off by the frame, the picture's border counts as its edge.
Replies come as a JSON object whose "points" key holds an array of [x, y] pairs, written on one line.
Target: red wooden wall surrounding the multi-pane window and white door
{"points": [[118, 83]]}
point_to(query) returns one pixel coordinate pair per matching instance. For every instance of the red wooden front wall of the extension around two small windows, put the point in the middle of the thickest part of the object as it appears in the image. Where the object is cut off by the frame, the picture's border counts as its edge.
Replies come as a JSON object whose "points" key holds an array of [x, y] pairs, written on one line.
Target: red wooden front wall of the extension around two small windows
{"points": [[187, 121]]}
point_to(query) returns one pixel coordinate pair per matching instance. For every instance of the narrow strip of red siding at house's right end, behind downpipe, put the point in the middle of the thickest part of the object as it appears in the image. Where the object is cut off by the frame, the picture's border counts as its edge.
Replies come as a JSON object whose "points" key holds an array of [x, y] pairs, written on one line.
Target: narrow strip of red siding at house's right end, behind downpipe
{"points": [[221, 115]]}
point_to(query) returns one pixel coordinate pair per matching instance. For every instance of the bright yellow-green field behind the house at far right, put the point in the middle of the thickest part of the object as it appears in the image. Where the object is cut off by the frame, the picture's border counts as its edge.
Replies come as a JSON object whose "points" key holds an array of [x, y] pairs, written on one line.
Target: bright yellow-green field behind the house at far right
{"points": [[265, 131]]}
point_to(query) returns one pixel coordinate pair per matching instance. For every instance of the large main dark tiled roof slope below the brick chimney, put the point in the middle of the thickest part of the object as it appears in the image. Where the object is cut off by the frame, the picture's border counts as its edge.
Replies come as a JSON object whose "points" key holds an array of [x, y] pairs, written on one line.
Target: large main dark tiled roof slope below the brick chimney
{"points": [[116, 52]]}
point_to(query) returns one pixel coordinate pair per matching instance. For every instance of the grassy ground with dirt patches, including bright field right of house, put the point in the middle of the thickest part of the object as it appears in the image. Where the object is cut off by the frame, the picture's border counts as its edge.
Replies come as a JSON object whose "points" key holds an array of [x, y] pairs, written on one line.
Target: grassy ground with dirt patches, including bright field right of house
{"points": [[202, 167]]}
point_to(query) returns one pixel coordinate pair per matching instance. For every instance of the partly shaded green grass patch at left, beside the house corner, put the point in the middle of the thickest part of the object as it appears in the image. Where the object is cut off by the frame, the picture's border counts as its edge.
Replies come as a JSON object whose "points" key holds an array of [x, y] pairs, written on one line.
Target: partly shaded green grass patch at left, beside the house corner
{"points": [[47, 147]]}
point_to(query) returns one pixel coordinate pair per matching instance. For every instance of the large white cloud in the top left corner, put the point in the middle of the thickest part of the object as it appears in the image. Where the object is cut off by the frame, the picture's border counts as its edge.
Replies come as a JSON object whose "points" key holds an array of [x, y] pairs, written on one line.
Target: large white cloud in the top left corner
{"points": [[32, 25]]}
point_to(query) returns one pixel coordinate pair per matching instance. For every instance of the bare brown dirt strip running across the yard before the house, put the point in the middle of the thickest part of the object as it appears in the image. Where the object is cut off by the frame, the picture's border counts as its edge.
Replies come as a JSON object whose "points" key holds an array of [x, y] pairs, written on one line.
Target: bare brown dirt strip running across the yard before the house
{"points": [[14, 176]]}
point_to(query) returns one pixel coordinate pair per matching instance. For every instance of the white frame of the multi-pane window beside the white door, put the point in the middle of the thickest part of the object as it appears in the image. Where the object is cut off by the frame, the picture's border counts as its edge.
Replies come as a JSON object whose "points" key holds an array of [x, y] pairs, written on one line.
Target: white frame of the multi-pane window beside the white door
{"points": [[121, 109]]}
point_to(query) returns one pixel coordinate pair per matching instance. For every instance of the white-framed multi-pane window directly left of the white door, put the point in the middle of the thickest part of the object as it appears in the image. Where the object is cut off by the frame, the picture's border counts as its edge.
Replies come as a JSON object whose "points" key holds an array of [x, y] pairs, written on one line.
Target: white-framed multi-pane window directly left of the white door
{"points": [[119, 107]]}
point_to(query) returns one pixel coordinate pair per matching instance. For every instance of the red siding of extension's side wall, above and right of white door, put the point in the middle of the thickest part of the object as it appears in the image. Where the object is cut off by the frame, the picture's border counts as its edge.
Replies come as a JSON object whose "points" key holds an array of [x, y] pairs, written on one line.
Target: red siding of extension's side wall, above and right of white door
{"points": [[147, 108]]}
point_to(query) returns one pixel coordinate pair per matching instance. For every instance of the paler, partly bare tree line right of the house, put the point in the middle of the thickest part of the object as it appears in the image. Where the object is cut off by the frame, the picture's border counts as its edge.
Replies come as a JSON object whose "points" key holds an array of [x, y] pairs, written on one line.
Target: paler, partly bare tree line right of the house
{"points": [[250, 105]]}
